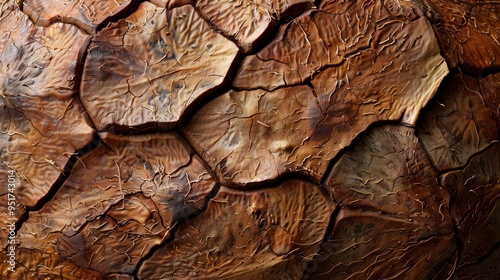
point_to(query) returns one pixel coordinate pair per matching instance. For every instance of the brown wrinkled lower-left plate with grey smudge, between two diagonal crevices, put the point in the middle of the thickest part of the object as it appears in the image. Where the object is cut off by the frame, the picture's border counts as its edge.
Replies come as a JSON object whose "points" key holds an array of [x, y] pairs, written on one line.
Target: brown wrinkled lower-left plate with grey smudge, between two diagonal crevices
{"points": [[120, 200]]}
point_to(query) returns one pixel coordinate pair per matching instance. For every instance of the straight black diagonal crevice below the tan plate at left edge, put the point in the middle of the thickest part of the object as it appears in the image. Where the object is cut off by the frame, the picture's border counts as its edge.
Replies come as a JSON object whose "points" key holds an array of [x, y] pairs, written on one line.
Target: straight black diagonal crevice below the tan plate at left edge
{"points": [[95, 141]]}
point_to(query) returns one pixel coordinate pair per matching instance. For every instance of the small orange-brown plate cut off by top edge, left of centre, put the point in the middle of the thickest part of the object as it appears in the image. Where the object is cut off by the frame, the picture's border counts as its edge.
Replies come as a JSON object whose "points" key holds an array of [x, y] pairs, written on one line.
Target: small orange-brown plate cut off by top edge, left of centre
{"points": [[86, 14]]}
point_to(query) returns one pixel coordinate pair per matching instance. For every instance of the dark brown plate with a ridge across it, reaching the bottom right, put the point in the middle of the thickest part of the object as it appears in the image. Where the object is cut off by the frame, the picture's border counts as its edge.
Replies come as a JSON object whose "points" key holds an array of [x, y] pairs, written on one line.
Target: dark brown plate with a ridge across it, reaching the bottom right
{"points": [[393, 217]]}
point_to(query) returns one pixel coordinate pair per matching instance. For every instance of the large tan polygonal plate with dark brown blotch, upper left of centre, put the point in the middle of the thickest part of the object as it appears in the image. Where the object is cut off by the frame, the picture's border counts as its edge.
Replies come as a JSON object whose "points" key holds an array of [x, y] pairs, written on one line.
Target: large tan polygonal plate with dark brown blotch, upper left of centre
{"points": [[146, 71]]}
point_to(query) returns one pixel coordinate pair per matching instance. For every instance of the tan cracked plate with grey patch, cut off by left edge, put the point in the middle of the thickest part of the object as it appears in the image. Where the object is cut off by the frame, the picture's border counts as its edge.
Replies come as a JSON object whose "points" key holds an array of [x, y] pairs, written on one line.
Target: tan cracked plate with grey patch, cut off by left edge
{"points": [[42, 124]]}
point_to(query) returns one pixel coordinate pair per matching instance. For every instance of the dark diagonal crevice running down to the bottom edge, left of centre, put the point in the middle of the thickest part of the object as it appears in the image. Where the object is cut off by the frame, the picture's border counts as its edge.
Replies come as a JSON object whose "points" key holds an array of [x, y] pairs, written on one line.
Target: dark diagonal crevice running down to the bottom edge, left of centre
{"points": [[173, 230]]}
